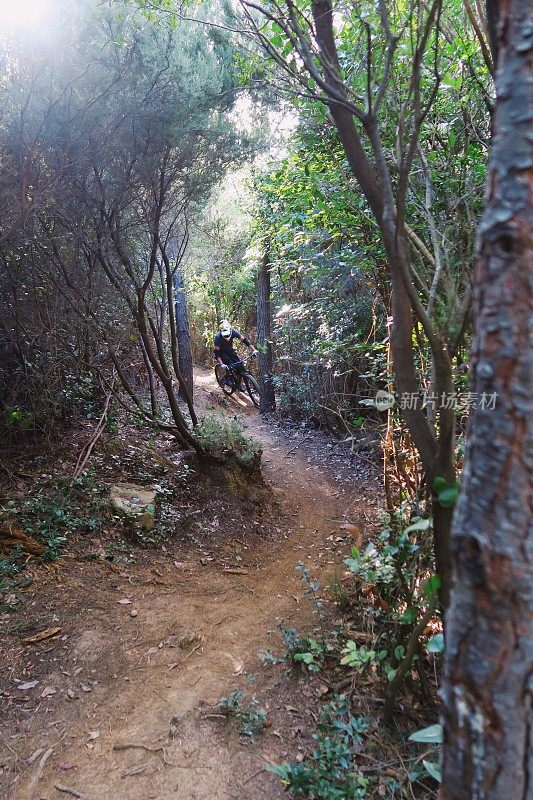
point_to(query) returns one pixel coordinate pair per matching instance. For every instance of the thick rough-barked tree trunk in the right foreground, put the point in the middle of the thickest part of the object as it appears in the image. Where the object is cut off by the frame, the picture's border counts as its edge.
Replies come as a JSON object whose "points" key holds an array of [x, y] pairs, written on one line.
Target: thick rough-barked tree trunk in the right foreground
{"points": [[487, 692]]}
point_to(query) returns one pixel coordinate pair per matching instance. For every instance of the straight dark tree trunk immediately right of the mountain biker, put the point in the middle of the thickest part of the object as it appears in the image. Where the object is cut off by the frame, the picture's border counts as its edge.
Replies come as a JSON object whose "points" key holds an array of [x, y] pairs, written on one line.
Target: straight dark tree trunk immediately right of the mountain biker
{"points": [[264, 336]]}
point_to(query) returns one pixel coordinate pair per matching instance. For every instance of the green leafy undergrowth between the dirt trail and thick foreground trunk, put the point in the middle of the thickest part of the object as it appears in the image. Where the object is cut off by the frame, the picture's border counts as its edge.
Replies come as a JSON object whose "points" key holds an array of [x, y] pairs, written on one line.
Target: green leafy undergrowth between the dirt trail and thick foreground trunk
{"points": [[373, 655]]}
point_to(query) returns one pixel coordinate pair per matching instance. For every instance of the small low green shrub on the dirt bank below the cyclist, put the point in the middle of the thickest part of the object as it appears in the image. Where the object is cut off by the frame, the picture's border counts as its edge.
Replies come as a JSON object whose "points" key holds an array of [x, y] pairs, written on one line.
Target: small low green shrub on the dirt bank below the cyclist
{"points": [[224, 441]]}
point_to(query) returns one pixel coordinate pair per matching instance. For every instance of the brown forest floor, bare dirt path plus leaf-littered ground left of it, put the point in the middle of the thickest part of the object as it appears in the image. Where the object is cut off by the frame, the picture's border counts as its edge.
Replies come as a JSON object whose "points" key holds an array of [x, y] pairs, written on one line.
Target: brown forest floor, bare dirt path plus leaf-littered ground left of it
{"points": [[120, 702]]}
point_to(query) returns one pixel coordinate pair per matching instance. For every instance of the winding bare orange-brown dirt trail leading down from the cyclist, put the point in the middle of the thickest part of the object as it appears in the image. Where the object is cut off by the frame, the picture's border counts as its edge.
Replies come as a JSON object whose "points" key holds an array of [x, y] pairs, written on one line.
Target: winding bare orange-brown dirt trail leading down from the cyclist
{"points": [[153, 679]]}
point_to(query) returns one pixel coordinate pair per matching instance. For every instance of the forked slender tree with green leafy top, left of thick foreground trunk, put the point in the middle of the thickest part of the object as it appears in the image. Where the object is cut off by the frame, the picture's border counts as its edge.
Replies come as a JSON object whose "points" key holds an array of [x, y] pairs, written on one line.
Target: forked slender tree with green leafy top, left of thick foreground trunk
{"points": [[378, 69]]}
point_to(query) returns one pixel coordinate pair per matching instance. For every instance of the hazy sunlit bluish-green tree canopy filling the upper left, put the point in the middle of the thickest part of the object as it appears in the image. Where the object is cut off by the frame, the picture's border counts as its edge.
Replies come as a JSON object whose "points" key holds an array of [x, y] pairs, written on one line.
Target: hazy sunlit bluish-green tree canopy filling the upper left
{"points": [[112, 147]]}
